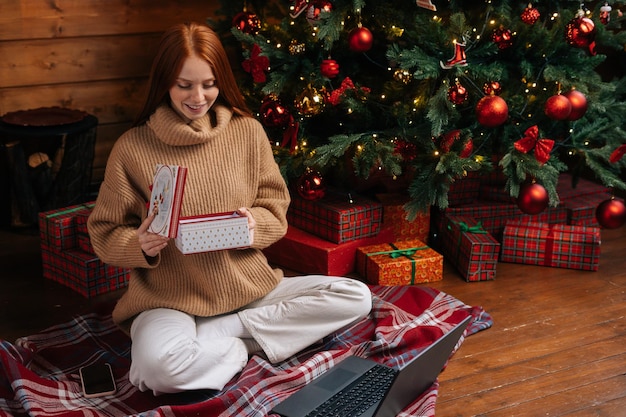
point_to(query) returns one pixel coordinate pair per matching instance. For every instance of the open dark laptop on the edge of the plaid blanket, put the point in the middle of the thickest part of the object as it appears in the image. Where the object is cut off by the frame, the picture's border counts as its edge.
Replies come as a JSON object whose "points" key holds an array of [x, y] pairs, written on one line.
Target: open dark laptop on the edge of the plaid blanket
{"points": [[358, 387]]}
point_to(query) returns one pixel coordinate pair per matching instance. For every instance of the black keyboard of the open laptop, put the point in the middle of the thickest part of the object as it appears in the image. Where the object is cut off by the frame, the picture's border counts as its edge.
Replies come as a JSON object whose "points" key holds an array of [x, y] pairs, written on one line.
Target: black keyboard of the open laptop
{"points": [[357, 397]]}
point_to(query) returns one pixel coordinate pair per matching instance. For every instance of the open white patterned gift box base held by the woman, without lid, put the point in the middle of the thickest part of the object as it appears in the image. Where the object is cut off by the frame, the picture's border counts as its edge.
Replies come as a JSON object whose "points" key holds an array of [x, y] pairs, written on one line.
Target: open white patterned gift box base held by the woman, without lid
{"points": [[212, 232]]}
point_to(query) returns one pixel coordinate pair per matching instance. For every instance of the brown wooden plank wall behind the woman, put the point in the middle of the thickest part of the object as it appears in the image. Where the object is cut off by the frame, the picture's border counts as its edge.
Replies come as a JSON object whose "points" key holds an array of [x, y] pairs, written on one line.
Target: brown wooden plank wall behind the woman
{"points": [[92, 55]]}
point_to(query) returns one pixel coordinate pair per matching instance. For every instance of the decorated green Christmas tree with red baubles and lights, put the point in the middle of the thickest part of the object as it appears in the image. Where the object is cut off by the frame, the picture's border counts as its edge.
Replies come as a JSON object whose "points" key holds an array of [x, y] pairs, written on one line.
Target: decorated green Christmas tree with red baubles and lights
{"points": [[419, 95]]}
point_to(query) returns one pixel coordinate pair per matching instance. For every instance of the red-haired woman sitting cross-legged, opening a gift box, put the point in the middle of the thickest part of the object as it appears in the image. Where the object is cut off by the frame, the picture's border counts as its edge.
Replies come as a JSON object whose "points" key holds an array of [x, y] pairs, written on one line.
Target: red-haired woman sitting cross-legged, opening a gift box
{"points": [[194, 319]]}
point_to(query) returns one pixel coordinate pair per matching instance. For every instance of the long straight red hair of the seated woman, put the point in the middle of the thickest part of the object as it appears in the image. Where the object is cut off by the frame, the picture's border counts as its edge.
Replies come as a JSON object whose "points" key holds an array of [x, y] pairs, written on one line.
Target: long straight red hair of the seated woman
{"points": [[177, 44]]}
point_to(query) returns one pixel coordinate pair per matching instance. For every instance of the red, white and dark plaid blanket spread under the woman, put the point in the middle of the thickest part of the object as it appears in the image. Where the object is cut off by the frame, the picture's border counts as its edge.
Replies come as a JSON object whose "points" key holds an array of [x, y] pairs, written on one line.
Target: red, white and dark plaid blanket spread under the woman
{"points": [[40, 373]]}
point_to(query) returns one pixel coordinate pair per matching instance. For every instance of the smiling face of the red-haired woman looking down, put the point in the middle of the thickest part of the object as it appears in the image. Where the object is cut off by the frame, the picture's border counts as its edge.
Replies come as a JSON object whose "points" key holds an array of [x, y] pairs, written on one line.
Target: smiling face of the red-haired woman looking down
{"points": [[195, 90]]}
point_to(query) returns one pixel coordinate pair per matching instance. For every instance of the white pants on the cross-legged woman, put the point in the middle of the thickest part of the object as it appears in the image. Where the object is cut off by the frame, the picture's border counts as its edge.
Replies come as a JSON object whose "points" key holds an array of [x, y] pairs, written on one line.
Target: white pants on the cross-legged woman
{"points": [[173, 351]]}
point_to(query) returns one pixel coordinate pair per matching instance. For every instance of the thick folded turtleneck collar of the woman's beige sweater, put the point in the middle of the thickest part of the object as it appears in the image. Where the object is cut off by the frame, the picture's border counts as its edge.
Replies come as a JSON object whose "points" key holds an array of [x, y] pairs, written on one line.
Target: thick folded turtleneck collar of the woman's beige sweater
{"points": [[171, 129]]}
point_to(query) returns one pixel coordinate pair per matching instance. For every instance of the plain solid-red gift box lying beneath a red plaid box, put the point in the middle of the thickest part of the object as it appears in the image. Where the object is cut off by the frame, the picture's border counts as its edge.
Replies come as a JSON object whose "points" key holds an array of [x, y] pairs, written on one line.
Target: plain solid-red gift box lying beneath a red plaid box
{"points": [[304, 252]]}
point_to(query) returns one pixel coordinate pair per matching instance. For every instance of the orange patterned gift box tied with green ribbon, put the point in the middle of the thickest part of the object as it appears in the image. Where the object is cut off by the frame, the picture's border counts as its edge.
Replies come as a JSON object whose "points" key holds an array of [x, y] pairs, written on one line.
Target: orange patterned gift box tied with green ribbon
{"points": [[404, 262]]}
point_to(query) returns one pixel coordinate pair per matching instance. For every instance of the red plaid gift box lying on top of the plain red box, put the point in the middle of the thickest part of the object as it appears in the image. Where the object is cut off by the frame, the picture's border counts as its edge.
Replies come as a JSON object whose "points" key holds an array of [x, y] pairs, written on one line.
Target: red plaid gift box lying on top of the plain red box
{"points": [[338, 217]]}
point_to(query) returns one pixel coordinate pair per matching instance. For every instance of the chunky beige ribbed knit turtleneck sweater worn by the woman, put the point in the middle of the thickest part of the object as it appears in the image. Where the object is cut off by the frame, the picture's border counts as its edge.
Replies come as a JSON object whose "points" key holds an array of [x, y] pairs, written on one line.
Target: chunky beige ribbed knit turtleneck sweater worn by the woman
{"points": [[230, 165]]}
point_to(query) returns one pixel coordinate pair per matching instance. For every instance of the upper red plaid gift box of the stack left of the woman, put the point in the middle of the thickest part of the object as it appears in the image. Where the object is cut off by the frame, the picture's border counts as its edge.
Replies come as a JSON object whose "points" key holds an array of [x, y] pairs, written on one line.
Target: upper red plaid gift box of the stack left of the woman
{"points": [[57, 228]]}
